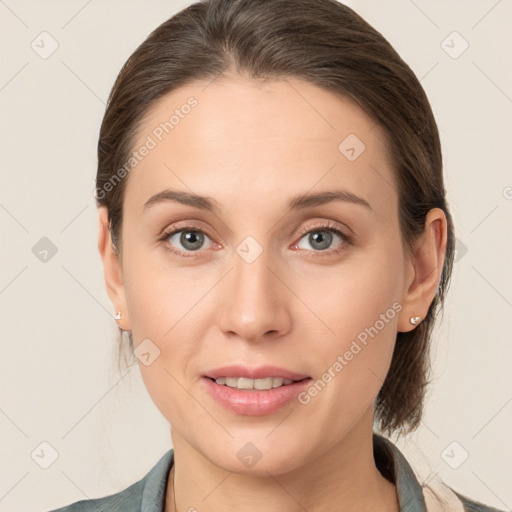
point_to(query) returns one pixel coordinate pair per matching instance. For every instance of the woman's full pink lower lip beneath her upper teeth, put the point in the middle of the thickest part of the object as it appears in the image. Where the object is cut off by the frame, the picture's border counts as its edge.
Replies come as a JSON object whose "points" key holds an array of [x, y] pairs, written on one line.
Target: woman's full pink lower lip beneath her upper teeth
{"points": [[252, 402]]}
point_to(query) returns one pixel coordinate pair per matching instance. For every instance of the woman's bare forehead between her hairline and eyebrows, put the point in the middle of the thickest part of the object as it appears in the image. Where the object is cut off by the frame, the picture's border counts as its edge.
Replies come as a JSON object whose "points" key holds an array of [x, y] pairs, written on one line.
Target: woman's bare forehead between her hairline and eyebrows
{"points": [[260, 137]]}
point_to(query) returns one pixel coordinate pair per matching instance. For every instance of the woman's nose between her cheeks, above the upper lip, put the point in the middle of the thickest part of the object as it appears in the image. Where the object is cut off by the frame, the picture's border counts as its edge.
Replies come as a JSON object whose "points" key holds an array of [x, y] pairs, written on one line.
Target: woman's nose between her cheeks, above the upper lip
{"points": [[256, 302]]}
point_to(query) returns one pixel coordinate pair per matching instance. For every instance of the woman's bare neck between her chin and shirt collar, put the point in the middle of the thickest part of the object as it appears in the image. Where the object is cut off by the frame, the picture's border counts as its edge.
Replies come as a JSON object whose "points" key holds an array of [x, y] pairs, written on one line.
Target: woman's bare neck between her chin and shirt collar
{"points": [[344, 478]]}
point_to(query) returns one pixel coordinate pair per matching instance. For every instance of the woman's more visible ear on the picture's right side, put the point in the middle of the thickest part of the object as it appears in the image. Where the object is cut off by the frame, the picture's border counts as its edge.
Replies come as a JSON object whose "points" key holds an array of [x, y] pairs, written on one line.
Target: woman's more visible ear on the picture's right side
{"points": [[425, 266]]}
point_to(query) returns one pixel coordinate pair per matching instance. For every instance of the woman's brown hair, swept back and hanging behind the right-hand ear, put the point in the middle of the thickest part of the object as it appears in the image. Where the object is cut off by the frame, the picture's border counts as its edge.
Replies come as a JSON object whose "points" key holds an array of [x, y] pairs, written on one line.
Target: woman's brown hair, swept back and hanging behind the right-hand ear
{"points": [[327, 44]]}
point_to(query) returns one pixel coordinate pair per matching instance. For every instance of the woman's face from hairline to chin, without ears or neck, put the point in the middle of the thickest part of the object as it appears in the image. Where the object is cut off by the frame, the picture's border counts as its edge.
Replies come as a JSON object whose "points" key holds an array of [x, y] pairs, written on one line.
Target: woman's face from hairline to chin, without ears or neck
{"points": [[295, 269]]}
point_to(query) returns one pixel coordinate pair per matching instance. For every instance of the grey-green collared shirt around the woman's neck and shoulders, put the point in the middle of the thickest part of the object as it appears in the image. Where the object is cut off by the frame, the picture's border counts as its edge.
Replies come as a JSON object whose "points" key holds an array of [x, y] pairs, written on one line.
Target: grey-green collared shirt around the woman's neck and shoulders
{"points": [[148, 494]]}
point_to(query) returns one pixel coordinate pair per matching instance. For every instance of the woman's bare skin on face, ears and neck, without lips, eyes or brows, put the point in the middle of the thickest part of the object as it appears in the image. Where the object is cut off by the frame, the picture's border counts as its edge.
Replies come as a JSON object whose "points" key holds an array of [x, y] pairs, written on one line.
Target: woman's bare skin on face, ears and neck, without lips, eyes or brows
{"points": [[251, 146]]}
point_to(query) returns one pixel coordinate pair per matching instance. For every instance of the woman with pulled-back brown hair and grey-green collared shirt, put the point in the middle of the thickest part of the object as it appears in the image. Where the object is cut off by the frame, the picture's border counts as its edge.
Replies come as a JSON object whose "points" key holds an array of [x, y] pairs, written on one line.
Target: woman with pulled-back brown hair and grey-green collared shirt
{"points": [[277, 244]]}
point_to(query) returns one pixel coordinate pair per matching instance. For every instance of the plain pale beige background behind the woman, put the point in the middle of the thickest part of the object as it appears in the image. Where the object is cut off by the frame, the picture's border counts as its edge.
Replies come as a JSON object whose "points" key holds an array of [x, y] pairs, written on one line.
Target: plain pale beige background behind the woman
{"points": [[59, 383]]}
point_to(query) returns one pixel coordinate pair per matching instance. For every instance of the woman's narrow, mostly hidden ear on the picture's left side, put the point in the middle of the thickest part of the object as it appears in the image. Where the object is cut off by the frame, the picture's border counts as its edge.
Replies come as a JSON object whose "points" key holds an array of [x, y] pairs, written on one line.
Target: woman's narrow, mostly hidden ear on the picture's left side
{"points": [[112, 269]]}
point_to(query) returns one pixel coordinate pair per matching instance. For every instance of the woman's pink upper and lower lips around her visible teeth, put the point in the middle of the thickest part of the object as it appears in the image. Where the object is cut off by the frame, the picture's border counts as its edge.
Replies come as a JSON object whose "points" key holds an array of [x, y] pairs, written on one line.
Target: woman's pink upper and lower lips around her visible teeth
{"points": [[253, 402]]}
